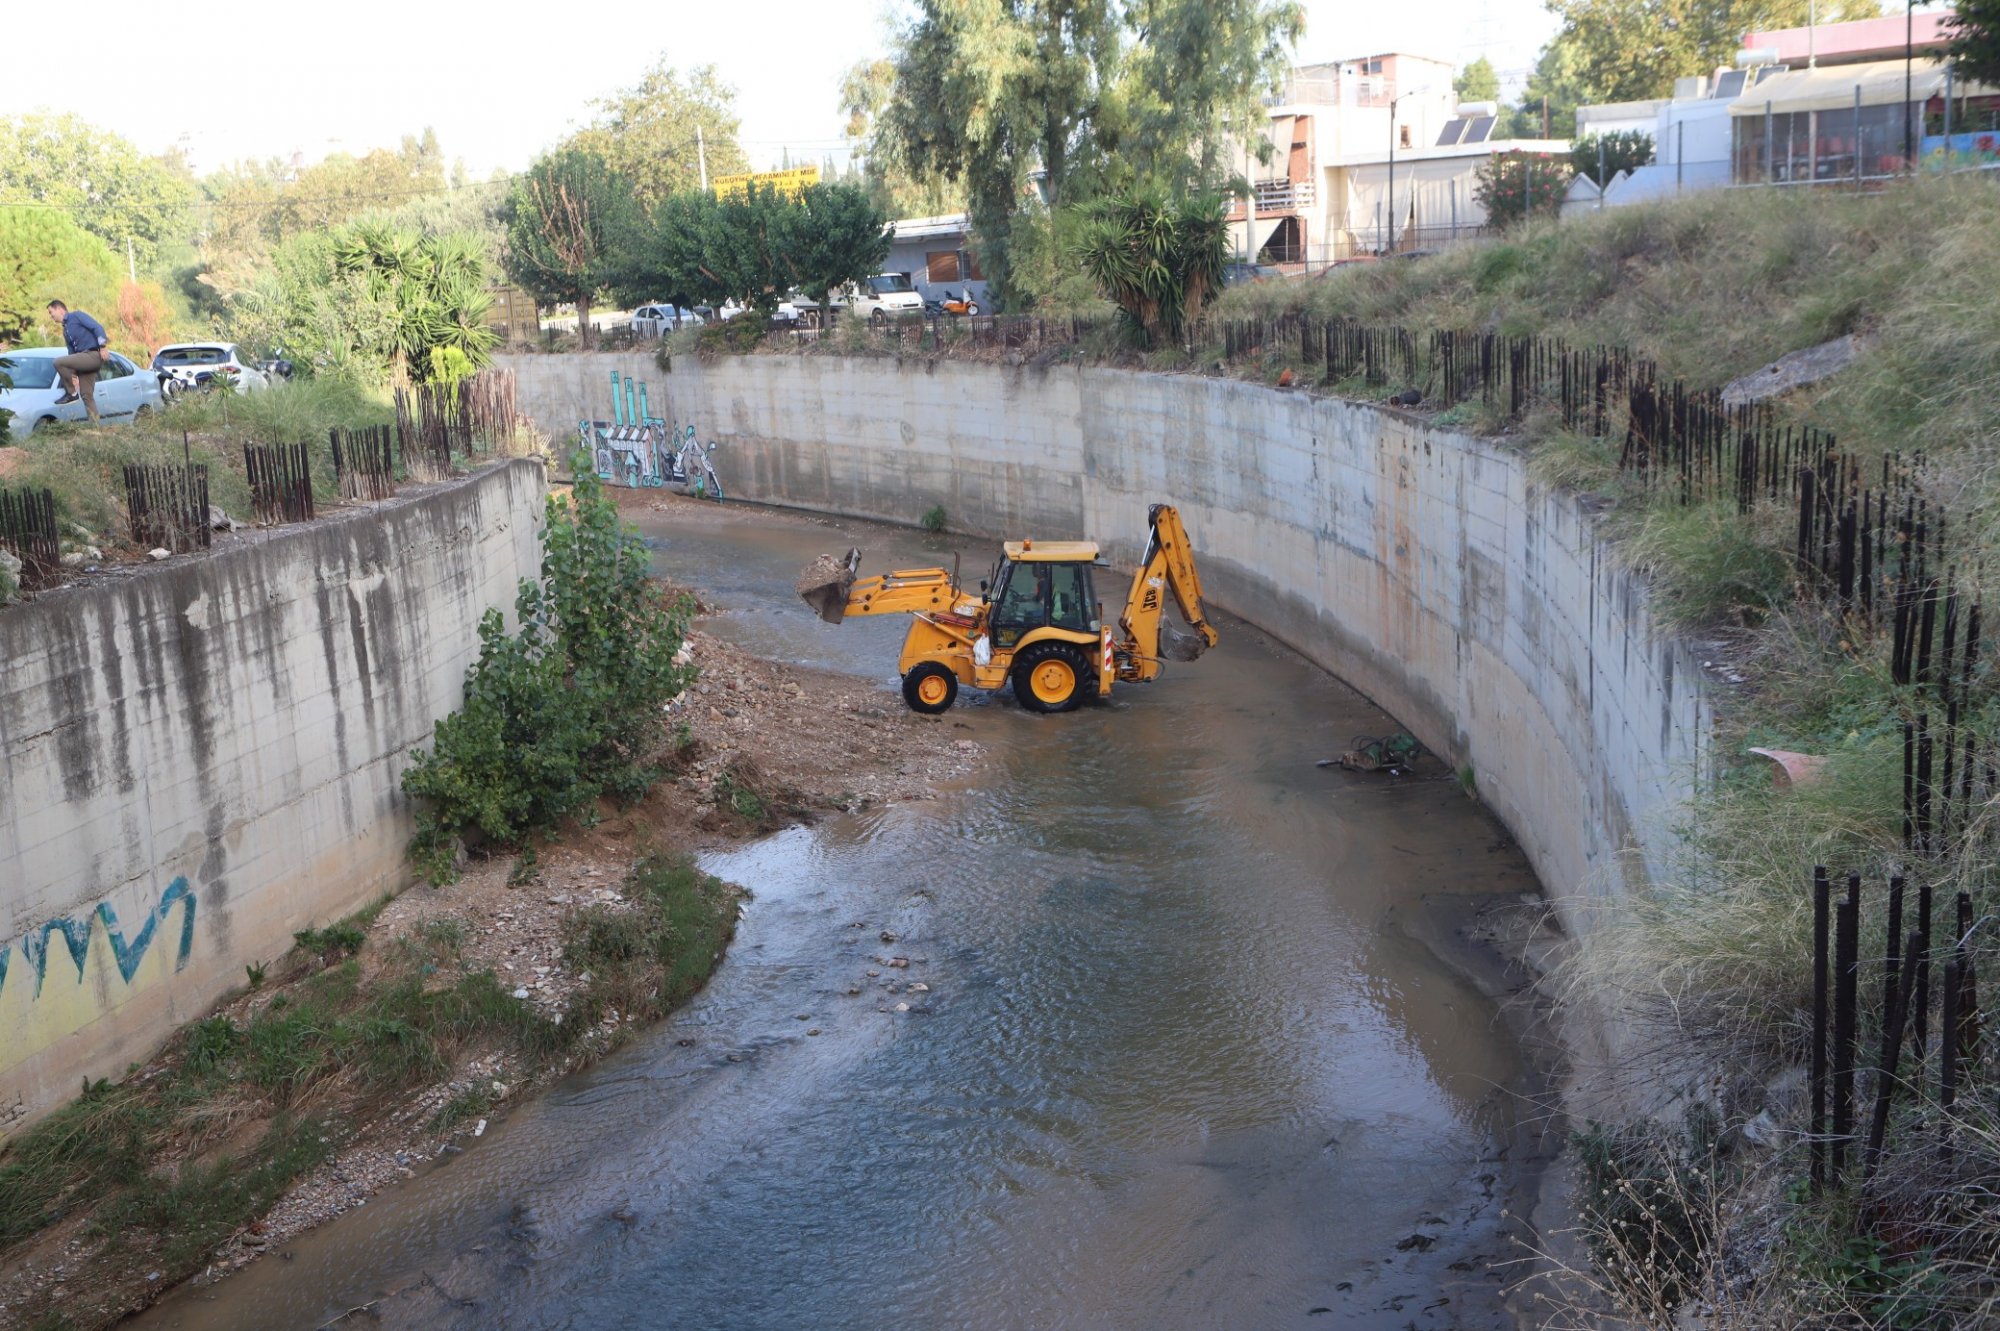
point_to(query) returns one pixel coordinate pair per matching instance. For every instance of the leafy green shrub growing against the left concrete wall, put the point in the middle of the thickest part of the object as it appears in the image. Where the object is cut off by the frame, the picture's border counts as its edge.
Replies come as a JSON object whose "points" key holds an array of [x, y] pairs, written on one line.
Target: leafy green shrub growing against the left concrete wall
{"points": [[563, 710]]}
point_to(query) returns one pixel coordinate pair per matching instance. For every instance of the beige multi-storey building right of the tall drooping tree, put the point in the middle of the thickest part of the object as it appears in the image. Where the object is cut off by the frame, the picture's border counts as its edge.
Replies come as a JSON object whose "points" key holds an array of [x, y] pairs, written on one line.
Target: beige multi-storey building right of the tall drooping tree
{"points": [[1369, 155]]}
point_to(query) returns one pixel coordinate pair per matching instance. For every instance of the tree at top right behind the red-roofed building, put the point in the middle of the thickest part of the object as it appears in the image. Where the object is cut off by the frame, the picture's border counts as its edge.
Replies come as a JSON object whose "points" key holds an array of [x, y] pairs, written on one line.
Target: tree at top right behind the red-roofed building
{"points": [[1629, 51]]}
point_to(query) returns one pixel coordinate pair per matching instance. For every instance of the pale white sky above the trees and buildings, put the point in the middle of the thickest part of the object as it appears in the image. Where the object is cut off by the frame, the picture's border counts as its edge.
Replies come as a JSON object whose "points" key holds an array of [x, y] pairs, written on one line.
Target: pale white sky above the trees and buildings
{"points": [[291, 79]]}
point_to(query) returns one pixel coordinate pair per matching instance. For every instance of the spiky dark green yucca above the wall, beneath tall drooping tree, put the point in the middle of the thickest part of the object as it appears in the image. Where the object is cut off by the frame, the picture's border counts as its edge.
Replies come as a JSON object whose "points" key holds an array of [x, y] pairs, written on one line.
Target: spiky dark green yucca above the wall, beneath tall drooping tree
{"points": [[1157, 257]]}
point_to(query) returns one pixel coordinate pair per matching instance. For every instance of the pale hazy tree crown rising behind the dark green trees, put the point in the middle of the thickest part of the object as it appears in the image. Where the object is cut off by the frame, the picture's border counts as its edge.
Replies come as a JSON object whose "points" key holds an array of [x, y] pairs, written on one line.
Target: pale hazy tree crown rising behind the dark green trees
{"points": [[649, 131]]}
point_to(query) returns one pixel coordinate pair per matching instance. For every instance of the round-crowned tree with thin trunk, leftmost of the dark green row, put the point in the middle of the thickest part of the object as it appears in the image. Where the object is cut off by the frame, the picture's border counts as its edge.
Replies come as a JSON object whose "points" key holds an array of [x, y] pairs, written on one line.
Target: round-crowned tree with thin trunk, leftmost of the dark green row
{"points": [[571, 229]]}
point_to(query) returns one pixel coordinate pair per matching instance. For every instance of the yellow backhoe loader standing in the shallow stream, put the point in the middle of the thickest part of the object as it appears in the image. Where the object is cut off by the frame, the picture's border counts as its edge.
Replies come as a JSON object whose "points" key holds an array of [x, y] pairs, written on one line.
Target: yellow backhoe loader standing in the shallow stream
{"points": [[1035, 625]]}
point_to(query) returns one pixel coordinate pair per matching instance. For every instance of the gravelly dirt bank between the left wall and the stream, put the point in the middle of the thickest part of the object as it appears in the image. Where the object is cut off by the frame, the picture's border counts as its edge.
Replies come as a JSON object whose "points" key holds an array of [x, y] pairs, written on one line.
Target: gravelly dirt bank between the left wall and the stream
{"points": [[753, 746]]}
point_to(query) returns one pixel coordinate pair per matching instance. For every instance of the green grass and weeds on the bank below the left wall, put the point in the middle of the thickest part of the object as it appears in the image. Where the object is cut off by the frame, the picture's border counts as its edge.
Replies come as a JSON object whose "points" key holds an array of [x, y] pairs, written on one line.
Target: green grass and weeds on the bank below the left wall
{"points": [[159, 1170]]}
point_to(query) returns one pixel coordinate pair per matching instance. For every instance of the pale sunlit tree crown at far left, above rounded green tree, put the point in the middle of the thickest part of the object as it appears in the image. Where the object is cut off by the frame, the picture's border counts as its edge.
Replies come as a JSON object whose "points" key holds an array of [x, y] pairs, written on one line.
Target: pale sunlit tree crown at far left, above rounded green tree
{"points": [[111, 189]]}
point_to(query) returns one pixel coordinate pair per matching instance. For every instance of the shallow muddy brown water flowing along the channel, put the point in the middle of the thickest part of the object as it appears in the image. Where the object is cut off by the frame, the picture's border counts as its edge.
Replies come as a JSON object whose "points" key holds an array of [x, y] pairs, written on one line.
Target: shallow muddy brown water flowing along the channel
{"points": [[1183, 1058]]}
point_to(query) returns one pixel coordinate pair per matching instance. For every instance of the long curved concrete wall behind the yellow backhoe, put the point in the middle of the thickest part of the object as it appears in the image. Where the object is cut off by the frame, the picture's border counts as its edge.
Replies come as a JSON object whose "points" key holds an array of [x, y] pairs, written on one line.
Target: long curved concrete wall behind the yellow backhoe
{"points": [[1419, 565]]}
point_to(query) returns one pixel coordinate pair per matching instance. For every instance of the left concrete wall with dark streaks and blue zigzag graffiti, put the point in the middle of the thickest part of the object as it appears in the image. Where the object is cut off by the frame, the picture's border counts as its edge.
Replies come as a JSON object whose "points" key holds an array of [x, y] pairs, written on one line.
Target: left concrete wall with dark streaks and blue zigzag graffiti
{"points": [[201, 758]]}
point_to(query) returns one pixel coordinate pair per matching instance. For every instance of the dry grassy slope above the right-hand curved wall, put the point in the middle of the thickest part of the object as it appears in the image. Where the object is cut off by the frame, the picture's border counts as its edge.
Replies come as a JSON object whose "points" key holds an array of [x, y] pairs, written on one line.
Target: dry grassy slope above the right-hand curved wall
{"points": [[1717, 960]]}
